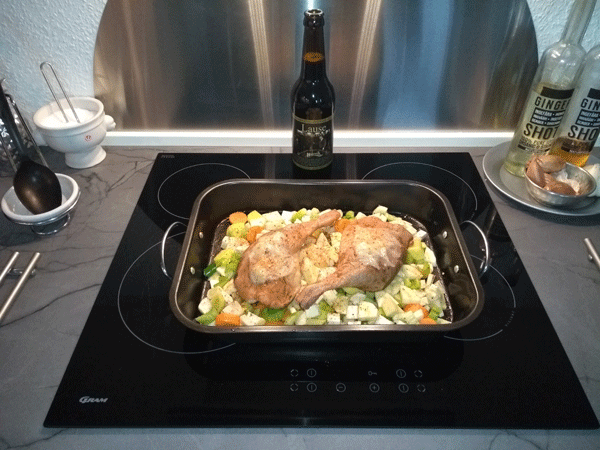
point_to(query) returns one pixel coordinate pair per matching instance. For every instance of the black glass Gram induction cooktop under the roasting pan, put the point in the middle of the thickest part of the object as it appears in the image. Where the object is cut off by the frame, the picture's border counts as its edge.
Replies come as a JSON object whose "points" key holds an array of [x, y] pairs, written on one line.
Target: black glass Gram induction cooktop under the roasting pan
{"points": [[135, 365]]}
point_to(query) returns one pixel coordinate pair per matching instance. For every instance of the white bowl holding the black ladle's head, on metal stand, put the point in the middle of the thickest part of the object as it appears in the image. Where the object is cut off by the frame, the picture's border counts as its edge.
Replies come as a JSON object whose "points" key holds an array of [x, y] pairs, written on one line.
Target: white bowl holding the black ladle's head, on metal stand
{"points": [[14, 210]]}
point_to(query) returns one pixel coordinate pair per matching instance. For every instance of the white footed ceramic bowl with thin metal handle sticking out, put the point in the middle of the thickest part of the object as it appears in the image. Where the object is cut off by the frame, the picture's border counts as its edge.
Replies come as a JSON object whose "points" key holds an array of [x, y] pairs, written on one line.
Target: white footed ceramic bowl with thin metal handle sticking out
{"points": [[79, 141]]}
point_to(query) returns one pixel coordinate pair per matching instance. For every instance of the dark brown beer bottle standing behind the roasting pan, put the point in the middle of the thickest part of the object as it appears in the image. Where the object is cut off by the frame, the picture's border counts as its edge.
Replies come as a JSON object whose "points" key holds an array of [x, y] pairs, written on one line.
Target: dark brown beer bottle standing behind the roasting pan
{"points": [[313, 100]]}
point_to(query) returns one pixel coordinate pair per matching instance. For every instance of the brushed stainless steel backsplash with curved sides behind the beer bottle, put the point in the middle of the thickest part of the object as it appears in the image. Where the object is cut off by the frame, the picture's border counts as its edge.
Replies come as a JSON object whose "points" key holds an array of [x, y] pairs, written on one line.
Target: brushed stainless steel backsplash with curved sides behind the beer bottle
{"points": [[394, 64]]}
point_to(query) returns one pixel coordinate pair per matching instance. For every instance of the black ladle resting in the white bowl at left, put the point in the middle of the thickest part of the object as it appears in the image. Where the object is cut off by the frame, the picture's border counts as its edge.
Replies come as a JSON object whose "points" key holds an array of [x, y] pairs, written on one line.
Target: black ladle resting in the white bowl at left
{"points": [[36, 186]]}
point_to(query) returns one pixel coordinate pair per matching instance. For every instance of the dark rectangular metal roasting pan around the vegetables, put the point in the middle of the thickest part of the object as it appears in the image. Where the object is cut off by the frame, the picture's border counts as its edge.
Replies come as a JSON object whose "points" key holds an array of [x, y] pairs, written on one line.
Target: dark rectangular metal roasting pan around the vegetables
{"points": [[422, 205]]}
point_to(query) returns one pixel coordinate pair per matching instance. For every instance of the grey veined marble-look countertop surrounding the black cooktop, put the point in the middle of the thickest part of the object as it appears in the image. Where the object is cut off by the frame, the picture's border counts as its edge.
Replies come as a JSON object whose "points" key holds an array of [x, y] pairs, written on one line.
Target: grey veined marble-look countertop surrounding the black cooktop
{"points": [[41, 330]]}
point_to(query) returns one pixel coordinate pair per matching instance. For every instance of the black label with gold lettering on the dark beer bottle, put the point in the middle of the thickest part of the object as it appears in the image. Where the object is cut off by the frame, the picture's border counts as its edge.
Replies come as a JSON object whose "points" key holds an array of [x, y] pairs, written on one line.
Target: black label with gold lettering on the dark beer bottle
{"points": [[312, 142]]}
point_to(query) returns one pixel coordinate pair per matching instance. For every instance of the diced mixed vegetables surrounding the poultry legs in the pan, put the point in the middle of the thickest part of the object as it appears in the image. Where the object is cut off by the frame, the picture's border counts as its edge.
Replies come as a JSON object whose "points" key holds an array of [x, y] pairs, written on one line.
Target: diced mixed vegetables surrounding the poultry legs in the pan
{"points": [[415, 296]]}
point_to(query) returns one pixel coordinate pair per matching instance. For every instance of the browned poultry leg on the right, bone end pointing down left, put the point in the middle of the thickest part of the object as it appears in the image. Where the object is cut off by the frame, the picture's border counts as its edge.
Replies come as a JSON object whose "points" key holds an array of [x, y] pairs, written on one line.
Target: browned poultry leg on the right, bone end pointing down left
{"points": [[371, 253]]}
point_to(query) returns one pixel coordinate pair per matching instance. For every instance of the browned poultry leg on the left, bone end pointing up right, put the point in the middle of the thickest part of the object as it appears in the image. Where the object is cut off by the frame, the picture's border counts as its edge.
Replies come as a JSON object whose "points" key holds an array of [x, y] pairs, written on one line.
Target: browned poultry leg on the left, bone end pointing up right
{"points": [[269, 271]]}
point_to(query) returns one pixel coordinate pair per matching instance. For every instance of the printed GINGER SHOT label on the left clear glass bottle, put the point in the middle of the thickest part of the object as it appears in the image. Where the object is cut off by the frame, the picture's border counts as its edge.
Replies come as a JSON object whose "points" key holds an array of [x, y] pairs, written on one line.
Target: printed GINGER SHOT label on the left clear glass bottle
{"points": [[543, 117]]}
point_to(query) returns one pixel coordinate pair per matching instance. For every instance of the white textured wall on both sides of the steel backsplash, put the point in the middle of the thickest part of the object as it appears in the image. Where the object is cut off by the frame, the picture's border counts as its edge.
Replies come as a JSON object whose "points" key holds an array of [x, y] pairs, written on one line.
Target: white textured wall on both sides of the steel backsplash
{"points": [[63, 32]]}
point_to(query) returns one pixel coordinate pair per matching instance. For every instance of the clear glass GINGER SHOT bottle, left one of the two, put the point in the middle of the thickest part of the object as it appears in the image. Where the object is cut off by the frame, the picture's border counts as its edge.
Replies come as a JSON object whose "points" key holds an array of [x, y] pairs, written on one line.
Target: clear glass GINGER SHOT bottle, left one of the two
{"points": [[551, 90]]}
